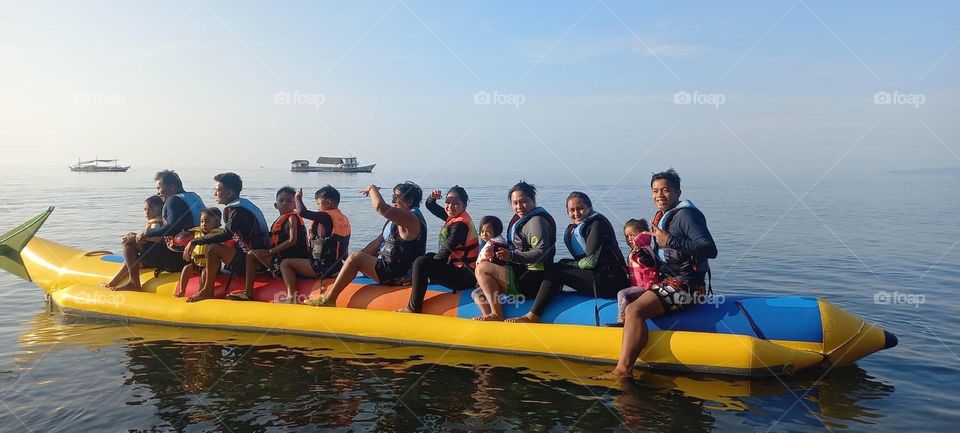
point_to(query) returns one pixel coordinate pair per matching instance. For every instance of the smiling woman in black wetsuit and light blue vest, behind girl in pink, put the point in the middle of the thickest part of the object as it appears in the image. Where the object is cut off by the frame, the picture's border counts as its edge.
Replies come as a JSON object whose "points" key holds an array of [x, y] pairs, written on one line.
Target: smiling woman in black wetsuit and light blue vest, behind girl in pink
{"points": [[598, 267]]}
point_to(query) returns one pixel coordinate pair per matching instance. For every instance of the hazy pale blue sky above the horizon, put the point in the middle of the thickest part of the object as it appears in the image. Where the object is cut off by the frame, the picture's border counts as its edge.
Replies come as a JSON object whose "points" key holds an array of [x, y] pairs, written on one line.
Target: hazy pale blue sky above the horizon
{"points": [[587, 86]]}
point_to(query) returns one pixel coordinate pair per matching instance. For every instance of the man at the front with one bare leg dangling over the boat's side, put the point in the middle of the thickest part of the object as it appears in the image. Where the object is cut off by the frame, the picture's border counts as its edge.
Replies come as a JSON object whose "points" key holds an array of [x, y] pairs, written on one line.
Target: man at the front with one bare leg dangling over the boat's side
{"points": [[684, 245]]}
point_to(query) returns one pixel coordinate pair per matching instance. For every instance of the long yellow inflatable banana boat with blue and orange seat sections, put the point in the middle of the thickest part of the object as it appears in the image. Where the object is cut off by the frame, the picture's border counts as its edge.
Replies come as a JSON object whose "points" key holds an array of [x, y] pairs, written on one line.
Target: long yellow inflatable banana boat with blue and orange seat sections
{"points": [[738, 335]]}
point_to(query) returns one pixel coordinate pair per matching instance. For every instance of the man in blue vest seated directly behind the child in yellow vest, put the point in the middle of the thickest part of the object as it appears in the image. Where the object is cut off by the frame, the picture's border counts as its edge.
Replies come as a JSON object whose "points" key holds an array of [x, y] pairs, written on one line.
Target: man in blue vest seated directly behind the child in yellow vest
{"points": [[244, 223]]}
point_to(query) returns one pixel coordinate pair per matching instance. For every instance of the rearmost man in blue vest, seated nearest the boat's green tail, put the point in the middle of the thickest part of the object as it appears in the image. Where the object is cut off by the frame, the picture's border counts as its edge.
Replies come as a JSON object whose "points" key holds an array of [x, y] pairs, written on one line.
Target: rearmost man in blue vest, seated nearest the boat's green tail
{"points": [[181, 211]]}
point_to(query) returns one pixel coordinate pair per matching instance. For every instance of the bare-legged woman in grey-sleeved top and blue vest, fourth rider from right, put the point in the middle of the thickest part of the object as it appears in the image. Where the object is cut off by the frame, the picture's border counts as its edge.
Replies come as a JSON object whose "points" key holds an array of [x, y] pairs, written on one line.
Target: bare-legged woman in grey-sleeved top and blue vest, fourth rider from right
{"points": [[532, 239]]}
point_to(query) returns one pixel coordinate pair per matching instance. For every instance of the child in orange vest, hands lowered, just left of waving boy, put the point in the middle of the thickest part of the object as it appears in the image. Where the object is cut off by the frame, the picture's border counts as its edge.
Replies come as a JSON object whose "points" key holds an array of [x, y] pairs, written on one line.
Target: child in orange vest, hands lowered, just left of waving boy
{"points": [[288, 239]]}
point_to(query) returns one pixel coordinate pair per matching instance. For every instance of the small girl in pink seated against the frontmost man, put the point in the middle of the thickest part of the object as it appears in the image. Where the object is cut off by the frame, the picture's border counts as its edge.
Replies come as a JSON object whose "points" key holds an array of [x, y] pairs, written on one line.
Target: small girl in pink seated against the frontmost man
{"points": [[641, 264]]}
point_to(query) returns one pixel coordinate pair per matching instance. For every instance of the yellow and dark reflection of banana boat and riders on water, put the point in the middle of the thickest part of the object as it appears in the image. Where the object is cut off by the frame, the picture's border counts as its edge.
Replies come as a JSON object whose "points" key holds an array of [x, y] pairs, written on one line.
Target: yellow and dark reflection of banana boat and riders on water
{"points": [[210, 379]]}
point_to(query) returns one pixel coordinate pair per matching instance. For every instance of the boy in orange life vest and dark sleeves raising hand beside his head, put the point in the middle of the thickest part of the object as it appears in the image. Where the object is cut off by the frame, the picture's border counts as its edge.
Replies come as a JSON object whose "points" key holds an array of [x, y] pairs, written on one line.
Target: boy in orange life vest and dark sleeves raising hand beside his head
{"points": [[329, 240]]}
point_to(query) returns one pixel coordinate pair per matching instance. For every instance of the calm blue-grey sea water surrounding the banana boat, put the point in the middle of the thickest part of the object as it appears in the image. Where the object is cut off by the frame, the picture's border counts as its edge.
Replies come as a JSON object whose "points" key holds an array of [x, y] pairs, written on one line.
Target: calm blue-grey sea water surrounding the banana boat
{"points": [[849, 239]]}
